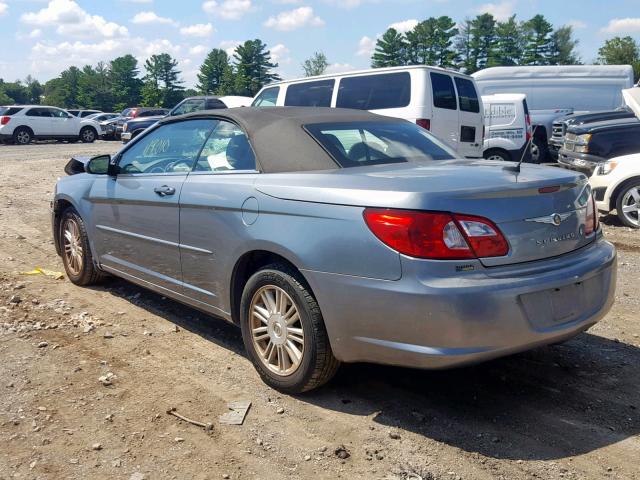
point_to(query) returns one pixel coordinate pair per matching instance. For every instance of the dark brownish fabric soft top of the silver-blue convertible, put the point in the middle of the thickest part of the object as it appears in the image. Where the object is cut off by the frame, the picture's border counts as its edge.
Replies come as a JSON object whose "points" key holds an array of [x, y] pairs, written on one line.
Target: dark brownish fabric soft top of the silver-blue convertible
{"points": [[277, 135]]}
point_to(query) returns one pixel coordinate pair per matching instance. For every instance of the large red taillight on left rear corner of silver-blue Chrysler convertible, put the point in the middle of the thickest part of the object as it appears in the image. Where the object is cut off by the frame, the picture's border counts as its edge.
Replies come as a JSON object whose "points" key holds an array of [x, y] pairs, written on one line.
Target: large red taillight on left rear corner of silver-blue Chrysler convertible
{"points": [[436, 235]]}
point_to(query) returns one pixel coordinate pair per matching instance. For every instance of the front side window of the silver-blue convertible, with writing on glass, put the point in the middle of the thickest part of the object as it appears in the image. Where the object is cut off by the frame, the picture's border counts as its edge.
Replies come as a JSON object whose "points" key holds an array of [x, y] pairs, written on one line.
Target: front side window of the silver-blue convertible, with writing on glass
{"points": [[170, 148]]}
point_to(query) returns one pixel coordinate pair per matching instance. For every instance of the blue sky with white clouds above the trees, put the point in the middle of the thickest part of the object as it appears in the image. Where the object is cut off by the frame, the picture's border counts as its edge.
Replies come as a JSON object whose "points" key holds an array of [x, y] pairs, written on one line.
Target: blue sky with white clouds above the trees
{"points": [[43, 37]]}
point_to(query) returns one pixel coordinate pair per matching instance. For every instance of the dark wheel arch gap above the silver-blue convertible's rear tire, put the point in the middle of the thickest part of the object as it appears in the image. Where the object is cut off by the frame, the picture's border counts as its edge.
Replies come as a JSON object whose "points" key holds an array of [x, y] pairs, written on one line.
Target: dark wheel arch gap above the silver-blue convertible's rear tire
{"points": [[248, 264]]}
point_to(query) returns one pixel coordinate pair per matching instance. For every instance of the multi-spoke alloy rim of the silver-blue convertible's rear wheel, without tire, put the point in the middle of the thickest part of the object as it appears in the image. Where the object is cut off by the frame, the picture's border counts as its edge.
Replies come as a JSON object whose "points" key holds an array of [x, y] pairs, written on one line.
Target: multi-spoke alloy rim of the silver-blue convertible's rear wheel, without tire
{"points": [[276, 330]]}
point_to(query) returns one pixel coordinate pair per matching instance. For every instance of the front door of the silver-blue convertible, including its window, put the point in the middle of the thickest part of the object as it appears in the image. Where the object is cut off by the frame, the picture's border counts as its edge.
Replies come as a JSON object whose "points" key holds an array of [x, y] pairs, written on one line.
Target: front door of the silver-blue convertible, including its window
{"points": [[136, 215]]}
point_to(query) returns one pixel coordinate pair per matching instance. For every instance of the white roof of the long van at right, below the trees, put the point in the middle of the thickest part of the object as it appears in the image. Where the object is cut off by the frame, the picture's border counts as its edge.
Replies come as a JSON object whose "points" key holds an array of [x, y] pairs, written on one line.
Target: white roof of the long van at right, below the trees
{"points": [[555, 71]]}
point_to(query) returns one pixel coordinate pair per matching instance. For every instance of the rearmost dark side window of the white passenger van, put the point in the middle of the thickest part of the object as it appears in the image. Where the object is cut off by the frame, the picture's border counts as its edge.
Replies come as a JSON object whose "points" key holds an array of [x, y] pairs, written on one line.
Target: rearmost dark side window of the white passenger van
{"points": [[373, 92]]}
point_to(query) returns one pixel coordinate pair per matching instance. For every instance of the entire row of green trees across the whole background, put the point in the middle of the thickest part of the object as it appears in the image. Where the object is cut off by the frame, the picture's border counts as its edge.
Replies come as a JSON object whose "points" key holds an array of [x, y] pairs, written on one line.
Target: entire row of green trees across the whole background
{"points": [[474, 44]]}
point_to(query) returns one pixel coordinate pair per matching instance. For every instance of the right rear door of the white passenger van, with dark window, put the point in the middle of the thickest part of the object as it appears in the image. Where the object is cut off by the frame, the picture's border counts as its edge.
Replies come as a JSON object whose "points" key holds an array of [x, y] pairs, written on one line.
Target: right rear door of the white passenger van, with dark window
{"points": [[470, 118]]}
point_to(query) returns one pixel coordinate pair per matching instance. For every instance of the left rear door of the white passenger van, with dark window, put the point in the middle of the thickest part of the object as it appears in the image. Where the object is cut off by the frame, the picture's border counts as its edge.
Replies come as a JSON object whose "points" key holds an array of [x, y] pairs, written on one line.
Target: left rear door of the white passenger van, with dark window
{"points": [[445, 121]]}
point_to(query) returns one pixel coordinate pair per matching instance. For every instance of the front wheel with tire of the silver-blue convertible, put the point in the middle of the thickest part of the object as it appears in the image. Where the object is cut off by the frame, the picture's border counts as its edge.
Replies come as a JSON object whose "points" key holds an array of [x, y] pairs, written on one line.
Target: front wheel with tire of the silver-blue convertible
{"points": [[73, 240]]}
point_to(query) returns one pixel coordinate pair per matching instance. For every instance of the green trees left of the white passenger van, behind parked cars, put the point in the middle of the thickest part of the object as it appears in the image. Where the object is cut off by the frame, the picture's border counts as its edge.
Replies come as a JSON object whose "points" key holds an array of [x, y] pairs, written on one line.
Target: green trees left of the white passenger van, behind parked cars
{"points": [[120, 83]]}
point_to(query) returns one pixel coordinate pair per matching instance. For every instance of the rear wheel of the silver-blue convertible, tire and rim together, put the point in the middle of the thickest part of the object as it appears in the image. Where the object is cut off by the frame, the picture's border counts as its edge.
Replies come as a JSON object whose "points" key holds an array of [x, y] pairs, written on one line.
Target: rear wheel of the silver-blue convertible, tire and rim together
{"points": [[317, 364]]}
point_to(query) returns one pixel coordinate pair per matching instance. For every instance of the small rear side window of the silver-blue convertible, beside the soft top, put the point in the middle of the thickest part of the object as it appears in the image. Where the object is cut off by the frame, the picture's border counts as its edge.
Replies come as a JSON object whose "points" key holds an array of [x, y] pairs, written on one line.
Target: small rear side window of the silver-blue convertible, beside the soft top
{"points": [[227, 148]]}
